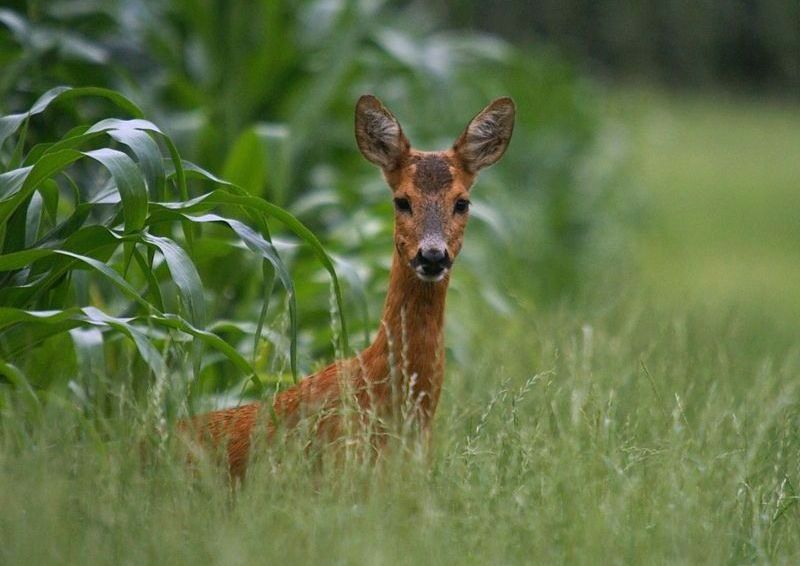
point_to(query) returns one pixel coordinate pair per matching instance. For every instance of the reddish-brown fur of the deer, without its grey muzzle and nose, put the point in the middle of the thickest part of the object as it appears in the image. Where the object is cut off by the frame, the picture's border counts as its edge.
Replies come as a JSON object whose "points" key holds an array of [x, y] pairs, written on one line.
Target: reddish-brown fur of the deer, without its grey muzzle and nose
{"points": [[406, 359]]}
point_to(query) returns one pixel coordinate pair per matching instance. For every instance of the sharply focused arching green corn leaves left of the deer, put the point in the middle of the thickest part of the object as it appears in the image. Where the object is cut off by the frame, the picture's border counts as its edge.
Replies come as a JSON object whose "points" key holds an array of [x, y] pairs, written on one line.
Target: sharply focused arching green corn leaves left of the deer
{"points": [[103, 236]]}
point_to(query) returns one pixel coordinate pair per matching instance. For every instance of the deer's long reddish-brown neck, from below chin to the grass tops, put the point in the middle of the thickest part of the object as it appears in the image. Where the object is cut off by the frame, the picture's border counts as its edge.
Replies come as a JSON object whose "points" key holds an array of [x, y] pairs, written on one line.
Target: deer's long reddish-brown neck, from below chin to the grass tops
{"points": [[409, 345]]}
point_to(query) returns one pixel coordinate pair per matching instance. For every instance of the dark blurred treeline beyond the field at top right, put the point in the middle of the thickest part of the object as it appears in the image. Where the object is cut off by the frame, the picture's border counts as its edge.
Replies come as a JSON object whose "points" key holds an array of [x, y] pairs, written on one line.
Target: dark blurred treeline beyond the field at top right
{"points": [[741, 43]]}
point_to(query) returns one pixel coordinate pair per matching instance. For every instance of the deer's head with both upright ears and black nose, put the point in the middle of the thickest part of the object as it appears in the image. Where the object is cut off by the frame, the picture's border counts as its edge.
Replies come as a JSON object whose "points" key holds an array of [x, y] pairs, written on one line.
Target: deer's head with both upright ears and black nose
{"points": [[431, 188]]}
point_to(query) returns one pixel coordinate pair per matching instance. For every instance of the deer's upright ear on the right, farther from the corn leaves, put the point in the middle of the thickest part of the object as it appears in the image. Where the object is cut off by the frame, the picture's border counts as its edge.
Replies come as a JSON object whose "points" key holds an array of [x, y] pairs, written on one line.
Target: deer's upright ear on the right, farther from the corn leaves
{"points": [[486, 137]]}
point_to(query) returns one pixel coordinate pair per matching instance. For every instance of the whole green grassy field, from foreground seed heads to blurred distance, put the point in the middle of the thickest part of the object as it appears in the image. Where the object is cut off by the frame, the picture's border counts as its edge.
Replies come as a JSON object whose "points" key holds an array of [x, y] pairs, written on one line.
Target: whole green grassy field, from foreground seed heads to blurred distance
{"points": [[654, 420]]}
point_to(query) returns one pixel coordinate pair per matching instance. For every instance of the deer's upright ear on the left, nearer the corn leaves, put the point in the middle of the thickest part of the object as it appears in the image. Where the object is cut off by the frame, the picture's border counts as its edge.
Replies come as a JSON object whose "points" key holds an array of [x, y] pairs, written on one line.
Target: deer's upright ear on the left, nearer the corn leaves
{"points": [[378, 134]]}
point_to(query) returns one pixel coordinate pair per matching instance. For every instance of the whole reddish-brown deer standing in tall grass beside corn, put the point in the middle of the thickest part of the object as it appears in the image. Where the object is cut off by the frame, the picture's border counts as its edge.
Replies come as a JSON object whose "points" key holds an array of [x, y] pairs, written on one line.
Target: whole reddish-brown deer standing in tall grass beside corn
{"points": [[405, 361]]}
